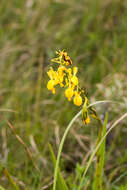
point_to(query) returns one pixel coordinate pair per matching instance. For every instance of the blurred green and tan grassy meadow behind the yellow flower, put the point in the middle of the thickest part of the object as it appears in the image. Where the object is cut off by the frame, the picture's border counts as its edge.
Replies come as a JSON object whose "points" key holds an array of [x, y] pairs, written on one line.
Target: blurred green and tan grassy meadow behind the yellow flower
{"points": [[94, 33]]}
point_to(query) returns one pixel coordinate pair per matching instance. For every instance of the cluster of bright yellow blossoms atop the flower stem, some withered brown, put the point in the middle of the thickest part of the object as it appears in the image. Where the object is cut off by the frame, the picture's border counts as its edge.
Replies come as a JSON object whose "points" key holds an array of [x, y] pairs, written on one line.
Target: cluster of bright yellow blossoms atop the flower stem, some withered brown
{"points": [[66, 77]]}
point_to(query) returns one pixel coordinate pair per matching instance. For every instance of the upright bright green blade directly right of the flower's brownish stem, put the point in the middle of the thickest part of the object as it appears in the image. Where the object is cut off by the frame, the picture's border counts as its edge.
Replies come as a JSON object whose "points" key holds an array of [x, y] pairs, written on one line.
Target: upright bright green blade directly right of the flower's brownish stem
{"points": [[97, 183]]}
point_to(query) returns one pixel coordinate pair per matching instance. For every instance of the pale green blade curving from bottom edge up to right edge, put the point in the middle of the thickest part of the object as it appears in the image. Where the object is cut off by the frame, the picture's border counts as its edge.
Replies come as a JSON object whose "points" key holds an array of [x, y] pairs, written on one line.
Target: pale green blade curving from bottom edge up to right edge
{"points": [[97, 147]]}
